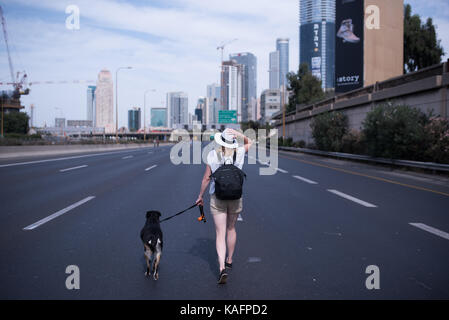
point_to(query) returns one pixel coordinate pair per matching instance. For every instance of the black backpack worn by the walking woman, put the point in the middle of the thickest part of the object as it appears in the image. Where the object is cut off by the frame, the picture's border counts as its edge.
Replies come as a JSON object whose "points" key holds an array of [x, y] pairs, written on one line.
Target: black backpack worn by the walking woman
{"points": [[228, 181]]}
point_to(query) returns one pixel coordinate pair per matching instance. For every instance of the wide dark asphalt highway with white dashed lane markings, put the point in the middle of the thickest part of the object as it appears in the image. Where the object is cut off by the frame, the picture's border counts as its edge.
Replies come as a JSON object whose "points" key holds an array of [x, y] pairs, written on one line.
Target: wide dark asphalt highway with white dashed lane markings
{"points": [[307, 232]]}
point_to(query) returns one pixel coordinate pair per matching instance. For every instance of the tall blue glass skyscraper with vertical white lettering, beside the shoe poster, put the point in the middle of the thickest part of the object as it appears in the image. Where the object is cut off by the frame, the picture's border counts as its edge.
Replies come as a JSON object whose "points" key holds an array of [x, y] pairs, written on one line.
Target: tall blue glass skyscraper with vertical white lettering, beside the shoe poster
{"points": [[317, 39]]}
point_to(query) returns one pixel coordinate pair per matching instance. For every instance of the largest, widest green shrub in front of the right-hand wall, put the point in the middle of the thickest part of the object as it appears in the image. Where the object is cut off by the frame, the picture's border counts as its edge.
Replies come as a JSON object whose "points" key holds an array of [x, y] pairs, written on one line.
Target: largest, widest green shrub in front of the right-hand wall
{"points": [[395, 132]]}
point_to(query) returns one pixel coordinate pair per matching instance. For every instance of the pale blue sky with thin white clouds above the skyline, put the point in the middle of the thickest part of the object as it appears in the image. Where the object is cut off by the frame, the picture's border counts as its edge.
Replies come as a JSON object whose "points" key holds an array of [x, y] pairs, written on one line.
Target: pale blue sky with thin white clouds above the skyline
{"points": [[171, 45]]}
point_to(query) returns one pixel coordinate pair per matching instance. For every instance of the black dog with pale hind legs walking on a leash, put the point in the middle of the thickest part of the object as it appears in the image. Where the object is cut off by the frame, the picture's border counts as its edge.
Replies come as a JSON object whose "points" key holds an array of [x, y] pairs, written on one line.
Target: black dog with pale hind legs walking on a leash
{"points": [[151, 236]]}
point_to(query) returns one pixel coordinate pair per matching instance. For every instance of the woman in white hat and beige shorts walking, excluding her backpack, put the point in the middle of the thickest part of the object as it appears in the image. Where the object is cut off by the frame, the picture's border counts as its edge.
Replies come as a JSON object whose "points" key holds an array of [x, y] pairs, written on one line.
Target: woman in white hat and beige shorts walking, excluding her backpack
{"points": [[224, 212]]}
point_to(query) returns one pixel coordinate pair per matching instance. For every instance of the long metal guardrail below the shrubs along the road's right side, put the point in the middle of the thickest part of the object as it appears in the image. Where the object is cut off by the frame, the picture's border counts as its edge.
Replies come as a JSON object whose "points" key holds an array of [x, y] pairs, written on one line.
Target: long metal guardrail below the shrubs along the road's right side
{"points": [[404, 163]]}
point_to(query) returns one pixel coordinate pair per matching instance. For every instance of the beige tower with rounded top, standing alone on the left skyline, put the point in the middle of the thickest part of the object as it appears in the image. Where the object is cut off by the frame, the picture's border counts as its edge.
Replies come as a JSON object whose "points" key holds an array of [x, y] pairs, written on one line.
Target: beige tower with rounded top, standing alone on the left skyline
{"points": [[104, 102]]}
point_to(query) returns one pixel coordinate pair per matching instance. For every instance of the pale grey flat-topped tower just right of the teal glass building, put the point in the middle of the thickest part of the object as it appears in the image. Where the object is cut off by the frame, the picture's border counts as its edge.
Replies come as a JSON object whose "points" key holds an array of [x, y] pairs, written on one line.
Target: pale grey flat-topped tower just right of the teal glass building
{"points": [[177, 109]]}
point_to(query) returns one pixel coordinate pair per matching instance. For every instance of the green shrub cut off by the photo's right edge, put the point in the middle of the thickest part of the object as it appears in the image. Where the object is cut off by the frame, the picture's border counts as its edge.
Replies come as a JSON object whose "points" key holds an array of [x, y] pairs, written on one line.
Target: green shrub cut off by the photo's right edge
{"points": [[437, 135]]}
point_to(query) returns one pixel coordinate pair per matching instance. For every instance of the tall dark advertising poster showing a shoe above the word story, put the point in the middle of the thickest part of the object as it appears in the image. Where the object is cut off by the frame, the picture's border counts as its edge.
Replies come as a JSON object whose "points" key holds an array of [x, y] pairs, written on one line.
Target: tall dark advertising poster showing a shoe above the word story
{"points": [[349, 45]]}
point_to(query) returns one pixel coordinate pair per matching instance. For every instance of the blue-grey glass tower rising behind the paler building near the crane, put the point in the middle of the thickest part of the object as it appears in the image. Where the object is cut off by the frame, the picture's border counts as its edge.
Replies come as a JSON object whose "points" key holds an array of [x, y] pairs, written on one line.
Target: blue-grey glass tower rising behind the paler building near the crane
{"points": [[249, 94]]}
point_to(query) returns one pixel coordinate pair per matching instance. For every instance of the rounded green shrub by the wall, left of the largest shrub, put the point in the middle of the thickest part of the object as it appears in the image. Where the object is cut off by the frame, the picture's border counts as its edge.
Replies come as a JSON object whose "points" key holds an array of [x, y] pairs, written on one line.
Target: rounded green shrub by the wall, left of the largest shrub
{"points": [[328, 130]]}
